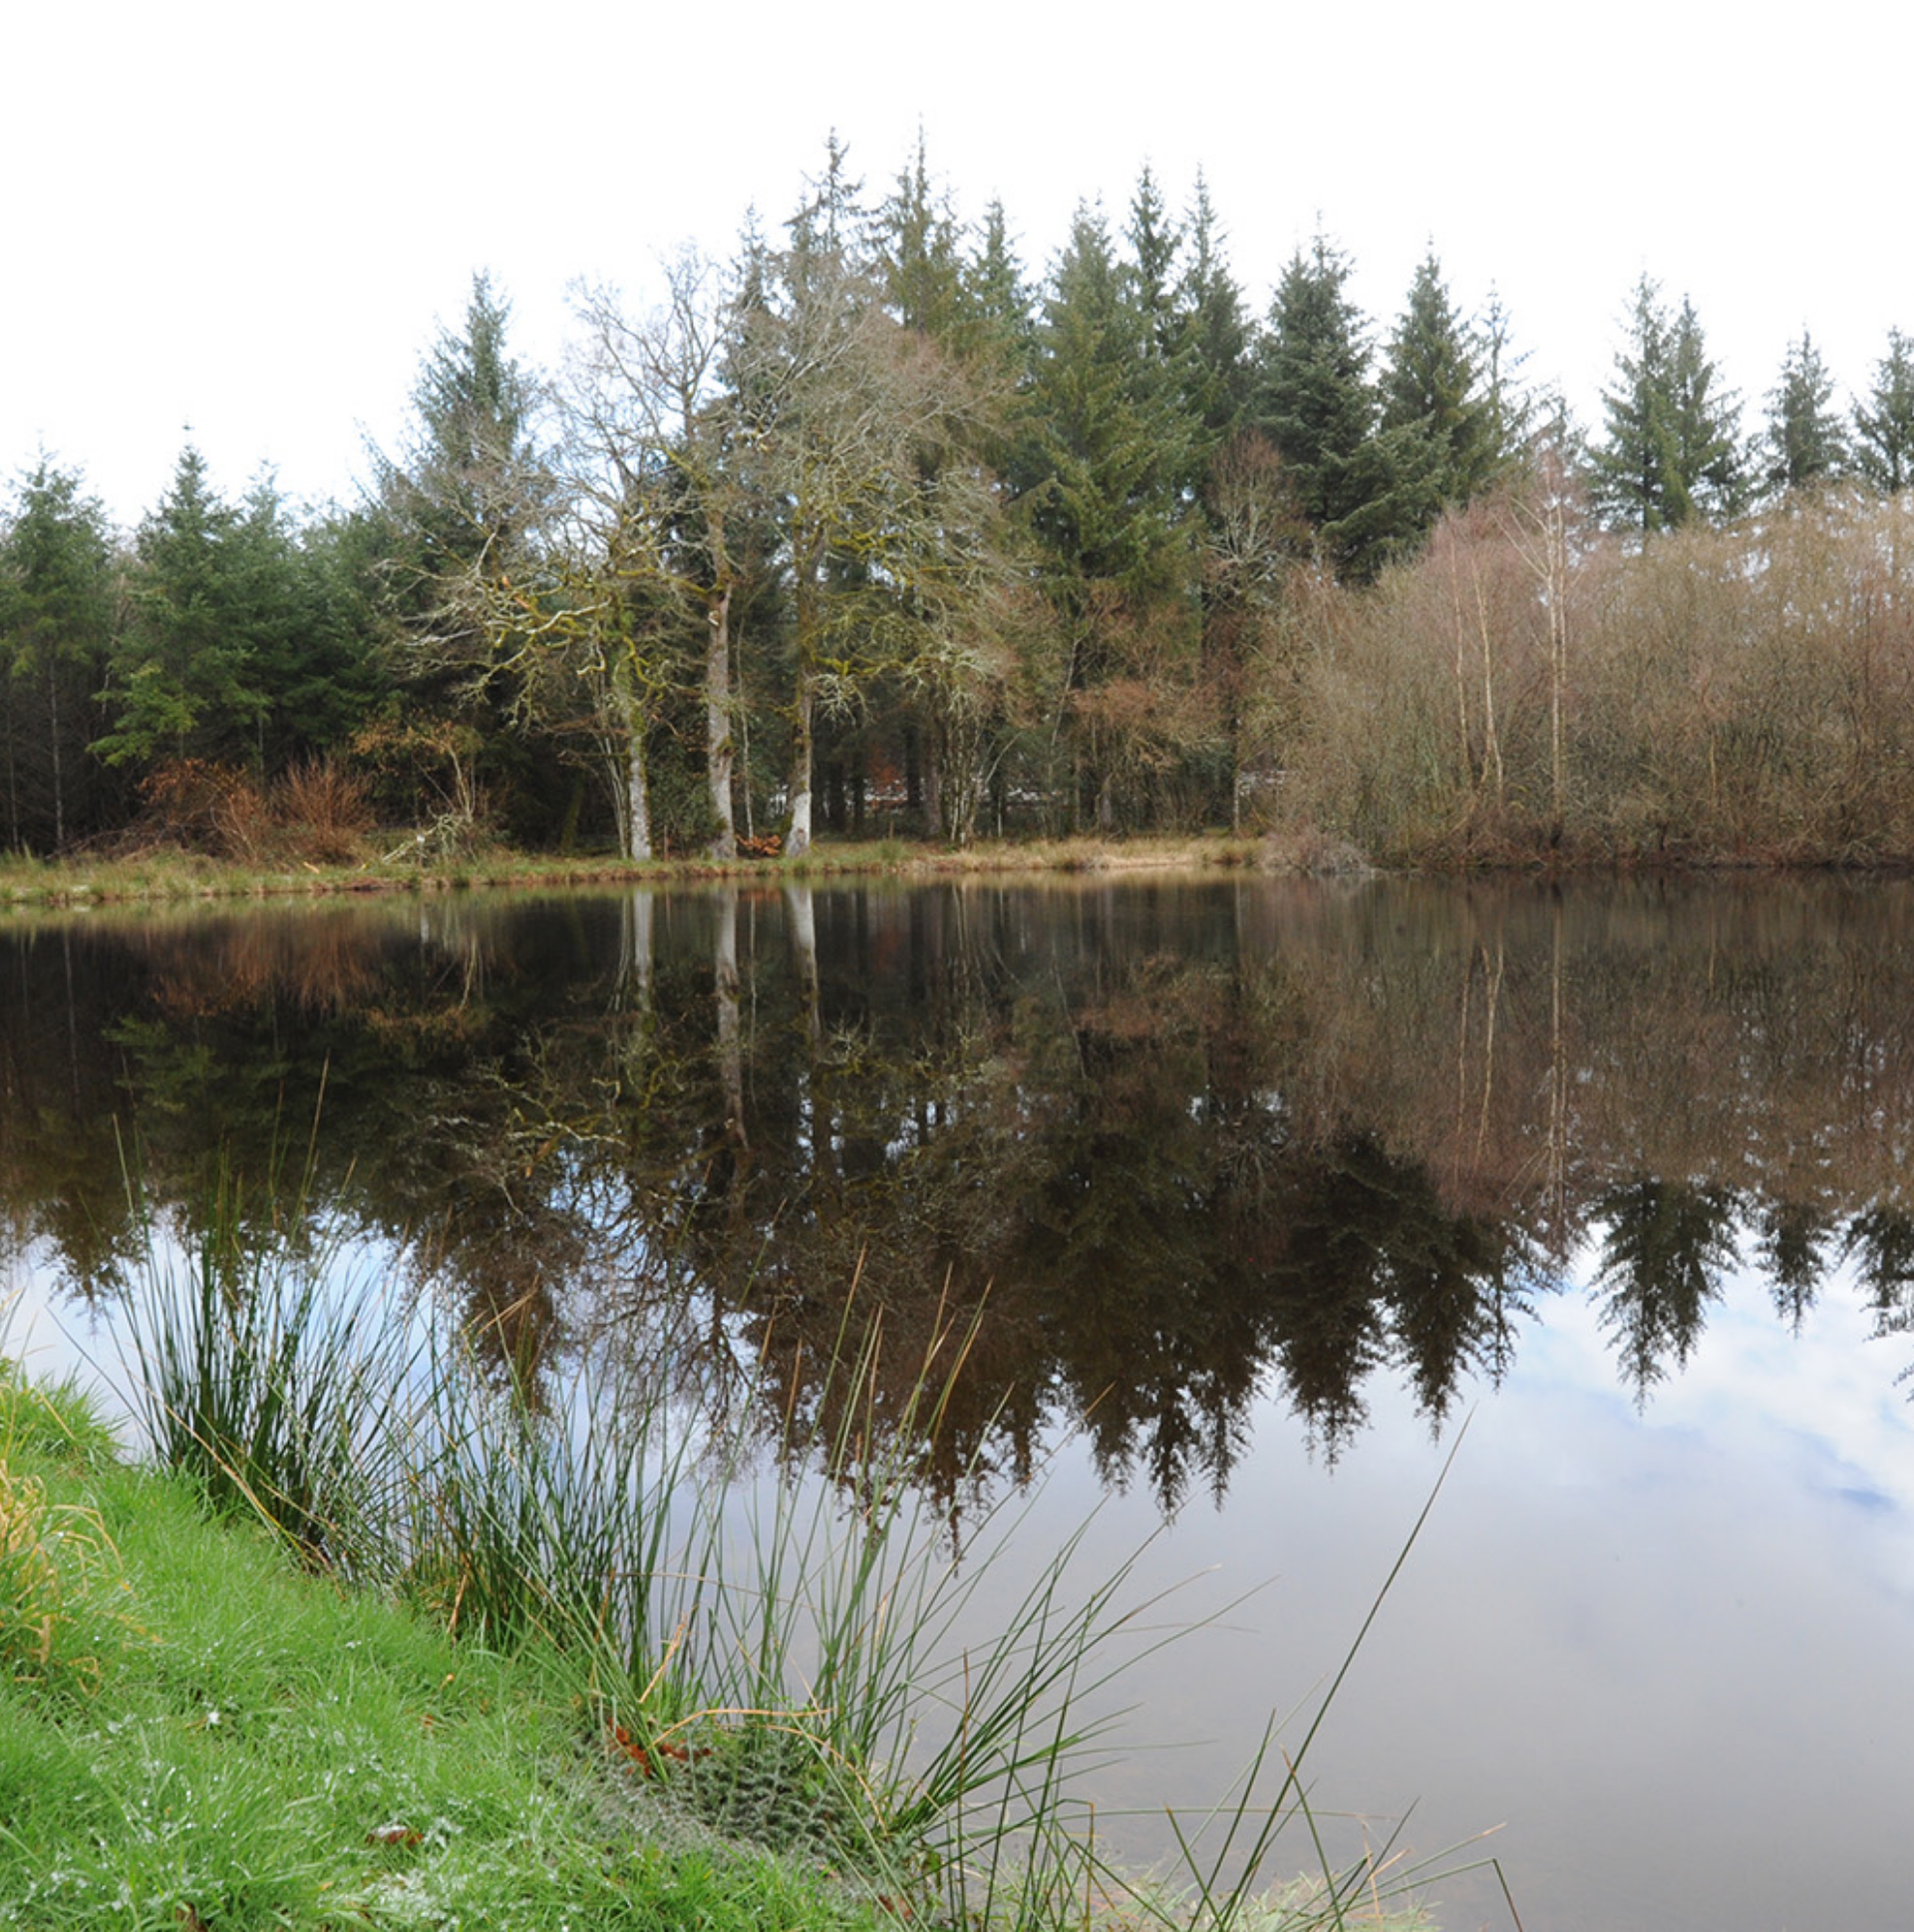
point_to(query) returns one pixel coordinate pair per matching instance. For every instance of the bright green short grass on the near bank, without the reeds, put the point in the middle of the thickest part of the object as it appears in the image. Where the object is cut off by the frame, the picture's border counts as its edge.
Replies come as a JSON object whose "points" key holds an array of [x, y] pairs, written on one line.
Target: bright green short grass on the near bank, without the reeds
{"points": [[196, 1734]]}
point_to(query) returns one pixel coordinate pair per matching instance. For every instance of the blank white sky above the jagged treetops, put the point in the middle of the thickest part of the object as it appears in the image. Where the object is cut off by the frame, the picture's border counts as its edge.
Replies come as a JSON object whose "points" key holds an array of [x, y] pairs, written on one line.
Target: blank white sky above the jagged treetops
{"points": [[250, 217]]}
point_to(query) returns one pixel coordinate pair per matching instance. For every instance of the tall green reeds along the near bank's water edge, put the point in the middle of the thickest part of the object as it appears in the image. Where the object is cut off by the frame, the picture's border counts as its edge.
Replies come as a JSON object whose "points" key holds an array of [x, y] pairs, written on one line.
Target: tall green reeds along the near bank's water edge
{"points": [[774, 1637]]}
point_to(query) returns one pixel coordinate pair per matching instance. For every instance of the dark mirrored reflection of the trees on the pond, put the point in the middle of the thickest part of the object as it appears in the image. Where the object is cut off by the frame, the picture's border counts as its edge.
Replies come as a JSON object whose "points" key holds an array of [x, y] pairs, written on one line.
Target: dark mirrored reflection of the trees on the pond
{"points": [[1183, 1143]]}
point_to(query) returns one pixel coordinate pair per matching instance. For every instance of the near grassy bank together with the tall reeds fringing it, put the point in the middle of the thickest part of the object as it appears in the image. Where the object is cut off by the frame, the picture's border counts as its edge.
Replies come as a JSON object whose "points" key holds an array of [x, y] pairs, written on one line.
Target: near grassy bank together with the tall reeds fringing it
{"points": [[370, 1643]]}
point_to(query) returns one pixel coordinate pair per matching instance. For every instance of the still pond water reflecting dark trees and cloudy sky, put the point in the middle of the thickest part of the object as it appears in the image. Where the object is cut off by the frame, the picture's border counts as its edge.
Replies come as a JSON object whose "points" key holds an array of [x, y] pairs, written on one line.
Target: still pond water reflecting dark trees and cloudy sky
{"points": [[1264, 1193]]}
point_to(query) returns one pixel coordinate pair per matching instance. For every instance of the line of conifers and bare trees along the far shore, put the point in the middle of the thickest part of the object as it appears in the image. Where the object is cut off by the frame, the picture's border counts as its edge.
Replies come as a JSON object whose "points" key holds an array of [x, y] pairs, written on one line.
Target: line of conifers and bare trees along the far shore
{"points": [[870, 530]]}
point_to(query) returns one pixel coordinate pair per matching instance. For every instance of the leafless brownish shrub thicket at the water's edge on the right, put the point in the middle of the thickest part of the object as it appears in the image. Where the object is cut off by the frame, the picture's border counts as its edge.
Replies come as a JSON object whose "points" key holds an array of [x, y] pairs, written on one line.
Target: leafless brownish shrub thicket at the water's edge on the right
{"points": [[1726, 695]]}
